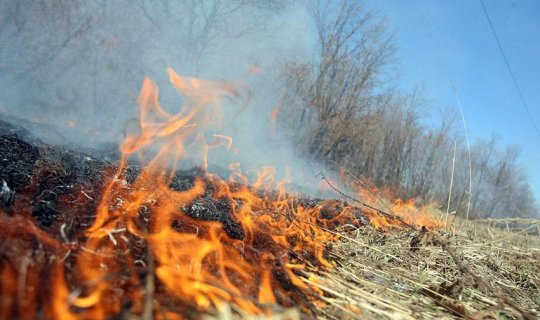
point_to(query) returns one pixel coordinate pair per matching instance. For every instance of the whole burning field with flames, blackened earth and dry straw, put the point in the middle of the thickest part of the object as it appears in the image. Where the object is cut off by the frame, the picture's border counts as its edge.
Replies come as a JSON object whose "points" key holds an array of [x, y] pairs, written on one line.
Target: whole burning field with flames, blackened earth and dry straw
{"points": [[84, 238]]}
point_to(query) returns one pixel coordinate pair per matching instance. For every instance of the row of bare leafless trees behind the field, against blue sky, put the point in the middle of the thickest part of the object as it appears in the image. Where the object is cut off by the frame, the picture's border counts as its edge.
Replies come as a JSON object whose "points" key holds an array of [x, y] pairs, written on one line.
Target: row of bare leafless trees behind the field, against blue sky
{"points": [[343, 109]]}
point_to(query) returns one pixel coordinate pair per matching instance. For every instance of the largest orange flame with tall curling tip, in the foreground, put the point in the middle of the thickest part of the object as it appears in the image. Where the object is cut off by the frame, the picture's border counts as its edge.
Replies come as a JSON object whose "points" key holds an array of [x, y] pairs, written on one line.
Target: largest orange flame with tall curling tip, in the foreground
{"points": [[198, 263]]}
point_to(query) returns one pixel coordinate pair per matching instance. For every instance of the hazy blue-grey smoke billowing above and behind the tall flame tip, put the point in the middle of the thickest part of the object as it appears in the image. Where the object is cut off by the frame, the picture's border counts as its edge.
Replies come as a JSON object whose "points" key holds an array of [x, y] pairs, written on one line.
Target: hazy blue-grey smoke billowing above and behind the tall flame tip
{"points": [[72, 71]]}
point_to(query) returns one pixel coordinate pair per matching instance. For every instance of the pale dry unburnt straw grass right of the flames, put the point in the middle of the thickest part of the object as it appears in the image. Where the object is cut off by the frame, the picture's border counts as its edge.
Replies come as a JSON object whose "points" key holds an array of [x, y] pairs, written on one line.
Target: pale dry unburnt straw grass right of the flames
{"points": [[378, 275]]}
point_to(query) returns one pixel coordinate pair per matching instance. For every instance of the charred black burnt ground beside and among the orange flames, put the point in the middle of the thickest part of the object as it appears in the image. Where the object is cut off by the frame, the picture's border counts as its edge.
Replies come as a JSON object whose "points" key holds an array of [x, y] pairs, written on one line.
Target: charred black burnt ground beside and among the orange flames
{"points": [[44, 178]]}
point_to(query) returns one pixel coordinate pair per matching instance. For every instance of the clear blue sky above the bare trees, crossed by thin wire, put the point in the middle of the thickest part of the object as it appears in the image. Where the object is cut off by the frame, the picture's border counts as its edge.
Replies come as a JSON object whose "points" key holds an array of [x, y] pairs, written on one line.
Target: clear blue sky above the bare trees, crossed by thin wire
{"points": [[445, 44]]}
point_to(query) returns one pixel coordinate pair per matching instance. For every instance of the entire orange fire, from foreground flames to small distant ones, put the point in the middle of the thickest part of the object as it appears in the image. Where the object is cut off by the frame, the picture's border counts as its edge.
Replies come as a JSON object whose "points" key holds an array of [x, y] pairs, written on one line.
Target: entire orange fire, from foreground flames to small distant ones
{"points": [[165, 250]]}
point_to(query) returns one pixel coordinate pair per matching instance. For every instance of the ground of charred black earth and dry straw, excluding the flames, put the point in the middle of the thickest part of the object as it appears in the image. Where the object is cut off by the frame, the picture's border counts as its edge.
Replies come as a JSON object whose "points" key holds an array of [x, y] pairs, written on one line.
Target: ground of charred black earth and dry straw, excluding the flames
{"points": [[397, 270]]}
